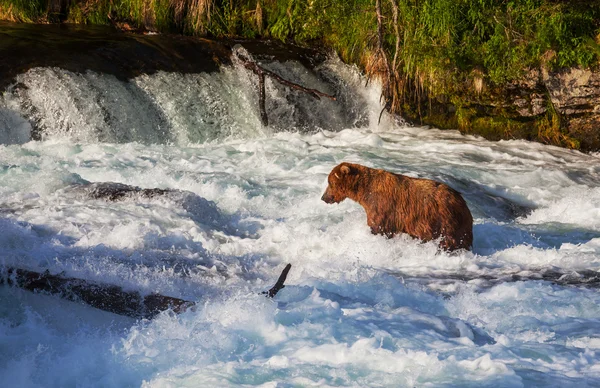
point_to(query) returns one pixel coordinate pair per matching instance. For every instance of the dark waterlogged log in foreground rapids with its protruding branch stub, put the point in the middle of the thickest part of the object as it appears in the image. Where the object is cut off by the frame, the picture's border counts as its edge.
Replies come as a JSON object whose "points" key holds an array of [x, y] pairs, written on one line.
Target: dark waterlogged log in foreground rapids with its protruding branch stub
{"points": [[104, 296]]}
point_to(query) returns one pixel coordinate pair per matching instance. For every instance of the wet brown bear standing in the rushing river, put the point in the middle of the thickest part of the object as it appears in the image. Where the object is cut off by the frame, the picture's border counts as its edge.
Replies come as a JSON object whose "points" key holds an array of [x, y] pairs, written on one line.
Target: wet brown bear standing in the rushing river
{"points": [[422, 208]]}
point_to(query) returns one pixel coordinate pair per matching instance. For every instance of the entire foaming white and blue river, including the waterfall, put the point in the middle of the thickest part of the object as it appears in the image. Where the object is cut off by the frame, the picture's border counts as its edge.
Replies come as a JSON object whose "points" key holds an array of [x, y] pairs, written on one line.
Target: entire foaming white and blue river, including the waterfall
{"points": [[358, 309]]}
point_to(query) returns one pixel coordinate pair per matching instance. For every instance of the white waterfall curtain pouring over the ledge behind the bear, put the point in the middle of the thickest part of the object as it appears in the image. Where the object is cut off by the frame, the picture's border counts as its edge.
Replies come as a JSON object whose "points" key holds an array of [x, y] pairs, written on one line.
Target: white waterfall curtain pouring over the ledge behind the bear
{"points": [[175, 108]]}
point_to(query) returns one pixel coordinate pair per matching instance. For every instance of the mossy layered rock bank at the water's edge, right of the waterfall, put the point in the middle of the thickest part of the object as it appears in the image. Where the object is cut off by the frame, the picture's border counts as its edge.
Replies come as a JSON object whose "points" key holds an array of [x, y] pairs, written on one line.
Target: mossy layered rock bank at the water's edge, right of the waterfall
{"points": [[553, 107]]}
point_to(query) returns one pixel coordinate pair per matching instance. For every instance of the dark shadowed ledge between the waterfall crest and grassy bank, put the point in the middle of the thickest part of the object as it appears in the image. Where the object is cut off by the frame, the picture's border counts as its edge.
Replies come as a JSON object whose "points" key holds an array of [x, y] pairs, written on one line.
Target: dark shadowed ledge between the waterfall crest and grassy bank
{"points": [[106, 50]]}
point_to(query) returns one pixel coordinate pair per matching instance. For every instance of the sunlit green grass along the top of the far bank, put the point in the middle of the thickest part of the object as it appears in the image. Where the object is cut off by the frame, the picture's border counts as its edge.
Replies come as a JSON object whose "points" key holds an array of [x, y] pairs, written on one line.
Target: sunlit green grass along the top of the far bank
{"points": [[437, 37]]}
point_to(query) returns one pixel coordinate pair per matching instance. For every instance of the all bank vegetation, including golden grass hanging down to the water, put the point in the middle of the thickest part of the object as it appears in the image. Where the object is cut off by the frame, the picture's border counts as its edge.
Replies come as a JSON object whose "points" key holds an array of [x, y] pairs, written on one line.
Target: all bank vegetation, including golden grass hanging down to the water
{"points": [[459, 51]]}
